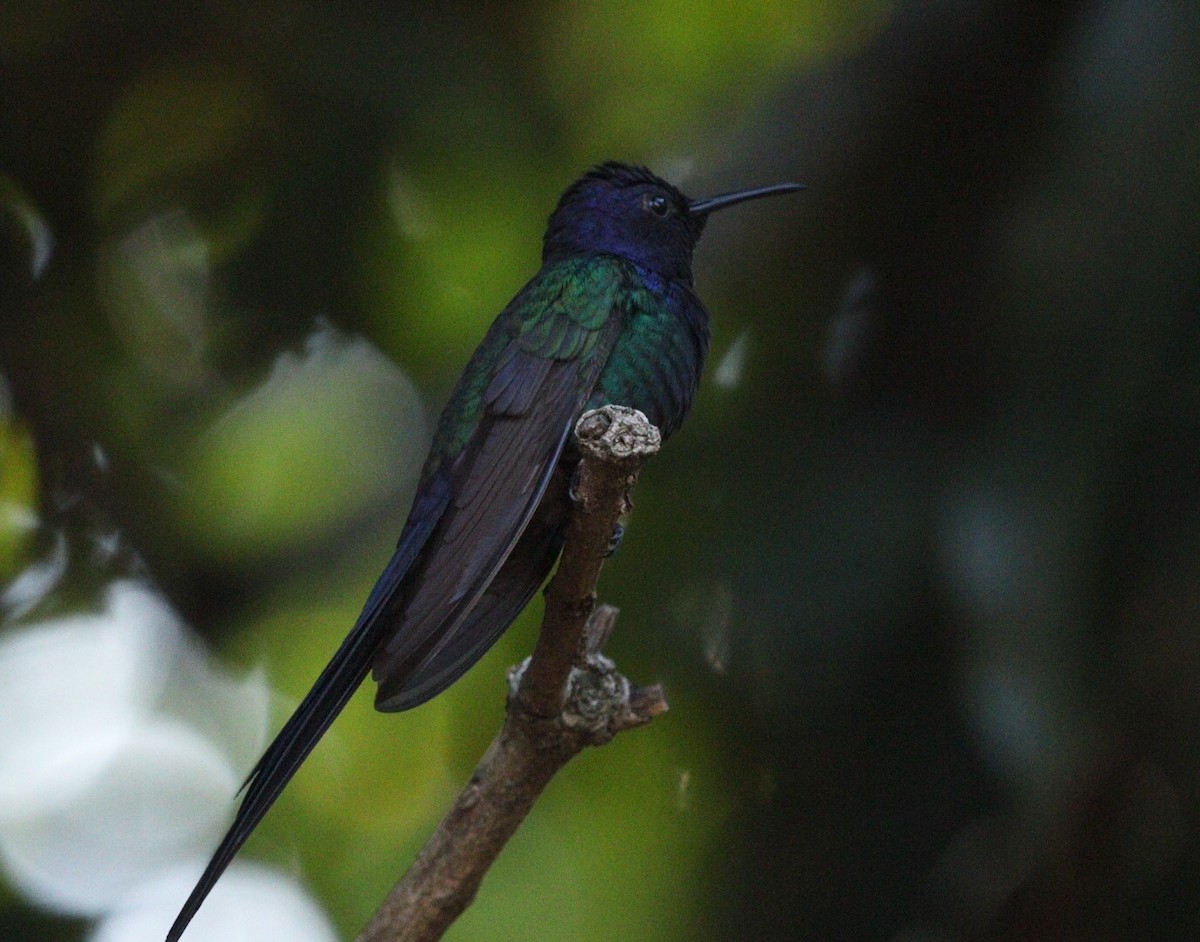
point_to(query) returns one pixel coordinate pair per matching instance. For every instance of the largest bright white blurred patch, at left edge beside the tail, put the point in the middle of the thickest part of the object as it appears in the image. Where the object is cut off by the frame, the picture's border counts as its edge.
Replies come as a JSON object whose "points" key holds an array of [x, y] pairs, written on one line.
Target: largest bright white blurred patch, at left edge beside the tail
{"points": [[121, 751]]}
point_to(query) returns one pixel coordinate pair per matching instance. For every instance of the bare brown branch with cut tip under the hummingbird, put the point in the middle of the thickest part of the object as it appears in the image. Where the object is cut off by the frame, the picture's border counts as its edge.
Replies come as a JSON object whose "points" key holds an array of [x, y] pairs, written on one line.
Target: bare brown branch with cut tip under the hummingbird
{"points": [[565, 698]]}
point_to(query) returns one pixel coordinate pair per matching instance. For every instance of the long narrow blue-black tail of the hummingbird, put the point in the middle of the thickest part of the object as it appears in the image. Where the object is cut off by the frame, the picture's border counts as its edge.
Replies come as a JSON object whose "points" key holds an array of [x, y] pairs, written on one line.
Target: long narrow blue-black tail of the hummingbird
{"points": [[341, 677]]}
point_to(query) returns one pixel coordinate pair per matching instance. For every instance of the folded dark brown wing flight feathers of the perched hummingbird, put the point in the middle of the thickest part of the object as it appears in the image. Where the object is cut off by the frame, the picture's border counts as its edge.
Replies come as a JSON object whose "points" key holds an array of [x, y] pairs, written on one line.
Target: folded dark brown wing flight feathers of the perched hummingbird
{"points": [[499, 483]]}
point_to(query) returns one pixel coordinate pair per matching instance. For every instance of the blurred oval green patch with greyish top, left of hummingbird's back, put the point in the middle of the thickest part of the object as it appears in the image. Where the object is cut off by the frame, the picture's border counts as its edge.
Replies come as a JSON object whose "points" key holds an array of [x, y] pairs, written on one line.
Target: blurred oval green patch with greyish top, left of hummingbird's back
{"points": [[329, 434]]}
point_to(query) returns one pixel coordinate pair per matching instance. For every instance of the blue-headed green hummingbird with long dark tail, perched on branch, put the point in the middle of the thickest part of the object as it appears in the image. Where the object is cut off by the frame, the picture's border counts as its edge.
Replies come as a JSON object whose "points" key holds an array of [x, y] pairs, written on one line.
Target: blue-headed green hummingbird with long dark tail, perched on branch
{"points": [[611, 317]]}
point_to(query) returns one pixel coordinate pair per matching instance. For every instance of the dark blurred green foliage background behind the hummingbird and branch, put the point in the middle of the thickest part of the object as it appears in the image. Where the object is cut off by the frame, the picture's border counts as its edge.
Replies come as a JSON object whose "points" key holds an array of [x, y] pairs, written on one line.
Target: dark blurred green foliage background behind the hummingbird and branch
{"points": [[921, 574]]}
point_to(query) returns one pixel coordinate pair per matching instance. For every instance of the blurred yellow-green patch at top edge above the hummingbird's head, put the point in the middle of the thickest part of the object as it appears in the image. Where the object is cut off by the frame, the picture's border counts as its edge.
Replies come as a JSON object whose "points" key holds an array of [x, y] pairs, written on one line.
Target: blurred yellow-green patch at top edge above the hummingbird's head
{"points": [[667, 67]]}
